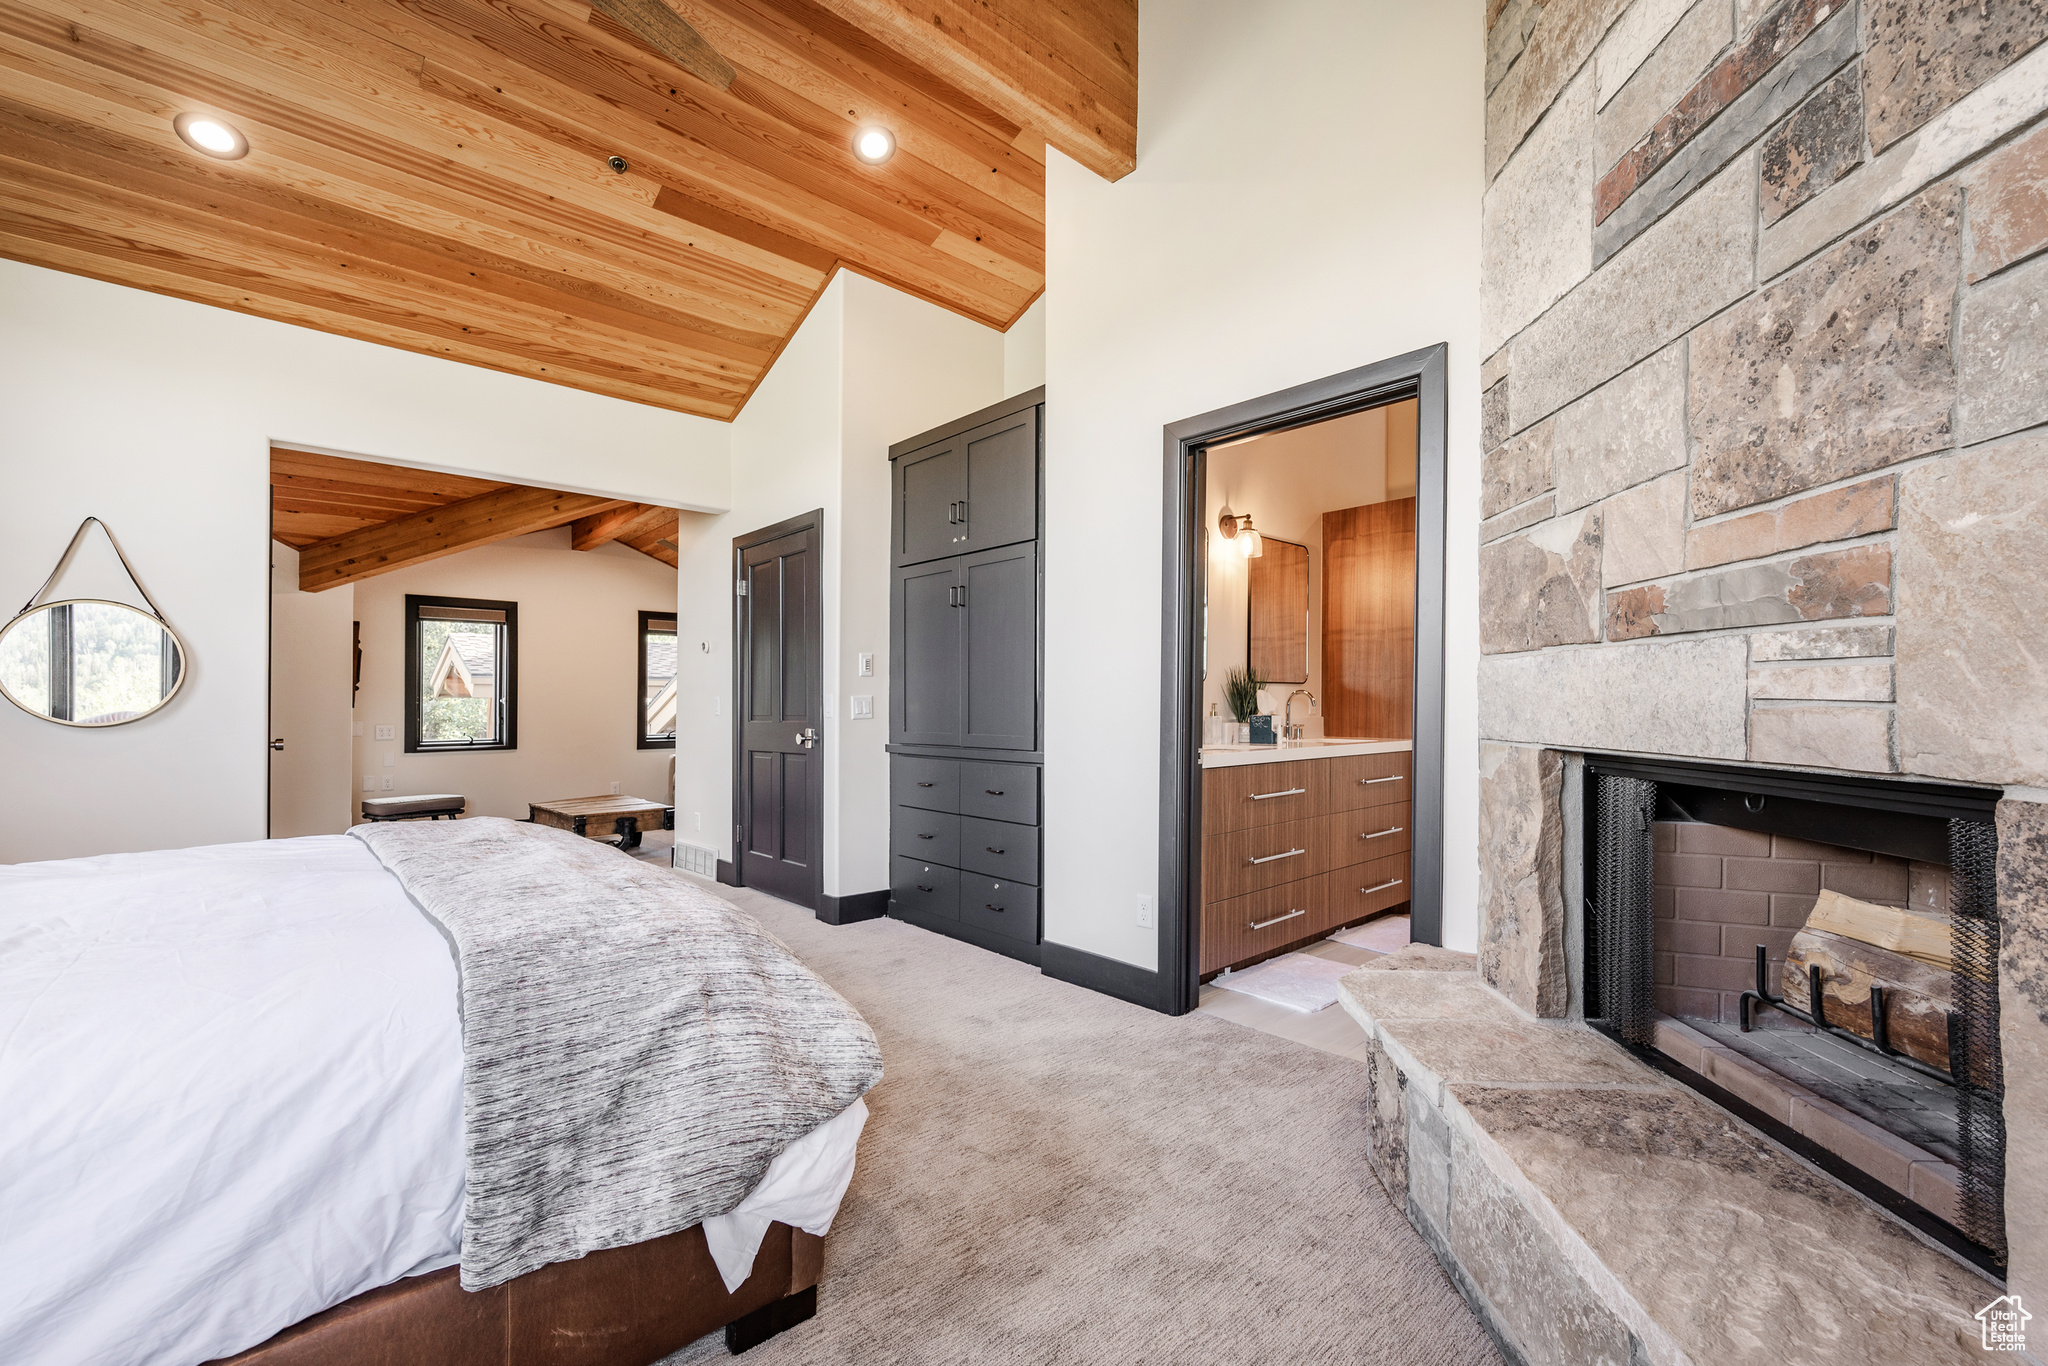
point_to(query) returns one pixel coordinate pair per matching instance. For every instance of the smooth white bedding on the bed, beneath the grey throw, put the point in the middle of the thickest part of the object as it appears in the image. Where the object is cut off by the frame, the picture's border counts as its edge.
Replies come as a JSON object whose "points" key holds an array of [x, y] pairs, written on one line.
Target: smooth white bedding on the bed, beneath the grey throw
{"points": [[230, 1097]]}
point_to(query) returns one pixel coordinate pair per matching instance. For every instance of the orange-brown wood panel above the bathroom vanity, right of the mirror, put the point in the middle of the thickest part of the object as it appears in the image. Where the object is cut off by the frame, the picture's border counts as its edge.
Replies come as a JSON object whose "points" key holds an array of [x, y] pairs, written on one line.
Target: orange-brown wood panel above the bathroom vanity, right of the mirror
{"points": [[1369, 622]]}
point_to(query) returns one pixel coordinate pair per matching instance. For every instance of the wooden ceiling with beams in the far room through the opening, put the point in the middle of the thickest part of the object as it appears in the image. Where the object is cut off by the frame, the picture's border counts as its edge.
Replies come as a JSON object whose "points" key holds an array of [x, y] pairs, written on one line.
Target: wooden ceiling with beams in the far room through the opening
{"points": [[359, 519]]}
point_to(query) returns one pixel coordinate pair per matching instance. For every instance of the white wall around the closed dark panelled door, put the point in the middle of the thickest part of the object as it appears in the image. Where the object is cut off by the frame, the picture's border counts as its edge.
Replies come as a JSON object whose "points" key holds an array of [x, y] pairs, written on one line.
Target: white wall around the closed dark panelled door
{"points": [[869, 368]]}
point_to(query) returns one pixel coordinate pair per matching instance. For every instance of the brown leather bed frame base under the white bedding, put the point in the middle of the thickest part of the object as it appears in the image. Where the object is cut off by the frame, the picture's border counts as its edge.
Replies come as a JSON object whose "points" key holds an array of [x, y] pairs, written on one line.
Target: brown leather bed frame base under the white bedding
{"points": [[624, 1308]]}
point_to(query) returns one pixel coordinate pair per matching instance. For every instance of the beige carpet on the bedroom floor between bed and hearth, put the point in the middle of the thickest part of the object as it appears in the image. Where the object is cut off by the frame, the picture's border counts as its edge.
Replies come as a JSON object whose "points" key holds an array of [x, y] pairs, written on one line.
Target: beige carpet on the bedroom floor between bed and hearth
{"points": [[1058, 1177]]}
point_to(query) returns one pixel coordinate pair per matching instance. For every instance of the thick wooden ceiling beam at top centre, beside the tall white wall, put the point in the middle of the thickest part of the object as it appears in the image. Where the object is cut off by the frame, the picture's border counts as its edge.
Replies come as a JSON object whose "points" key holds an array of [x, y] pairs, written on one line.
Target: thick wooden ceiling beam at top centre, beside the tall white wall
{"points": [[1064, 71]]}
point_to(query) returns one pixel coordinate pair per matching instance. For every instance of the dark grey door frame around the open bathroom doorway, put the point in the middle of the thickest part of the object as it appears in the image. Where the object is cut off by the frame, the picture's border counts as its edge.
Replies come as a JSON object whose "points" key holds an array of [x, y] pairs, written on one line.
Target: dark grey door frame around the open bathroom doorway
{"points": [[1420, 376]]}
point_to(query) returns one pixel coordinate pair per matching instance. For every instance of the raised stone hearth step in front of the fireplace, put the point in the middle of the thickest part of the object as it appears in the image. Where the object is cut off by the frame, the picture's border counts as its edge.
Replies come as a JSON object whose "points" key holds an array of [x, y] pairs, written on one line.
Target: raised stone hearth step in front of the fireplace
{"points": [[1598, 1213]]}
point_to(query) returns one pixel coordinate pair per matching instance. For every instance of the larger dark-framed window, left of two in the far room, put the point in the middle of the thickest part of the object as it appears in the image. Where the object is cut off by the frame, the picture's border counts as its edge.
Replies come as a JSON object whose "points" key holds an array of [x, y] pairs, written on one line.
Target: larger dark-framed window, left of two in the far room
{"points": [[462, 660]]}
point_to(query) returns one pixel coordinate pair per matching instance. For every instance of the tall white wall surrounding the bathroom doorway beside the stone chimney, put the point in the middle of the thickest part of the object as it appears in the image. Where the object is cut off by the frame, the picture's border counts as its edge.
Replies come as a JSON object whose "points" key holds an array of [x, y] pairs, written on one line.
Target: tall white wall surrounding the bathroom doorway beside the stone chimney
{"points": [[1306, 202]]}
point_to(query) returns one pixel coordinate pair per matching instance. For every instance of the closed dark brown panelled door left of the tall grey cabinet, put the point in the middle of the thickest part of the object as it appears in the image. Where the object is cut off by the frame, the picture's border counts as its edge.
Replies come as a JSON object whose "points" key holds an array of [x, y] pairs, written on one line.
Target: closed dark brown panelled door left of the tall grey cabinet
{"points": [[779, 708]]}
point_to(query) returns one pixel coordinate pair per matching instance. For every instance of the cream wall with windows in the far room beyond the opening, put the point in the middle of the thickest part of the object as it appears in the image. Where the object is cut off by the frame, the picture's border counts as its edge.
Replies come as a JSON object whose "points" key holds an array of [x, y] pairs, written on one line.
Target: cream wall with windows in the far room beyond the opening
{"points": [[579, 673]]}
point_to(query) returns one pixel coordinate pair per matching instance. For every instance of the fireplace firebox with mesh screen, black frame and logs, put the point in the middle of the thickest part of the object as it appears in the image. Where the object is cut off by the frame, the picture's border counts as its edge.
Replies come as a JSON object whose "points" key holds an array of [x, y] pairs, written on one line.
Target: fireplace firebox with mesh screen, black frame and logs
{"points": [[1834, 943]]}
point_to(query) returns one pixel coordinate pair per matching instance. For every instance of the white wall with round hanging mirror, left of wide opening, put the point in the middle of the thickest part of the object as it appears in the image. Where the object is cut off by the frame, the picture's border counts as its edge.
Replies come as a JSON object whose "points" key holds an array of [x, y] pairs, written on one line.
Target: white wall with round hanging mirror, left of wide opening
{"points": [[159, 417]]}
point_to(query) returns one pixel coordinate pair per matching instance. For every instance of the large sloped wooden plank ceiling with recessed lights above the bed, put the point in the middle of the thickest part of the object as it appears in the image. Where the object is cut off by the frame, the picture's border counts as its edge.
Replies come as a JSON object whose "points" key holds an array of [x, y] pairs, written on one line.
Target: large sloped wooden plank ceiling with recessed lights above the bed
{"points": [[435, 175]]}
